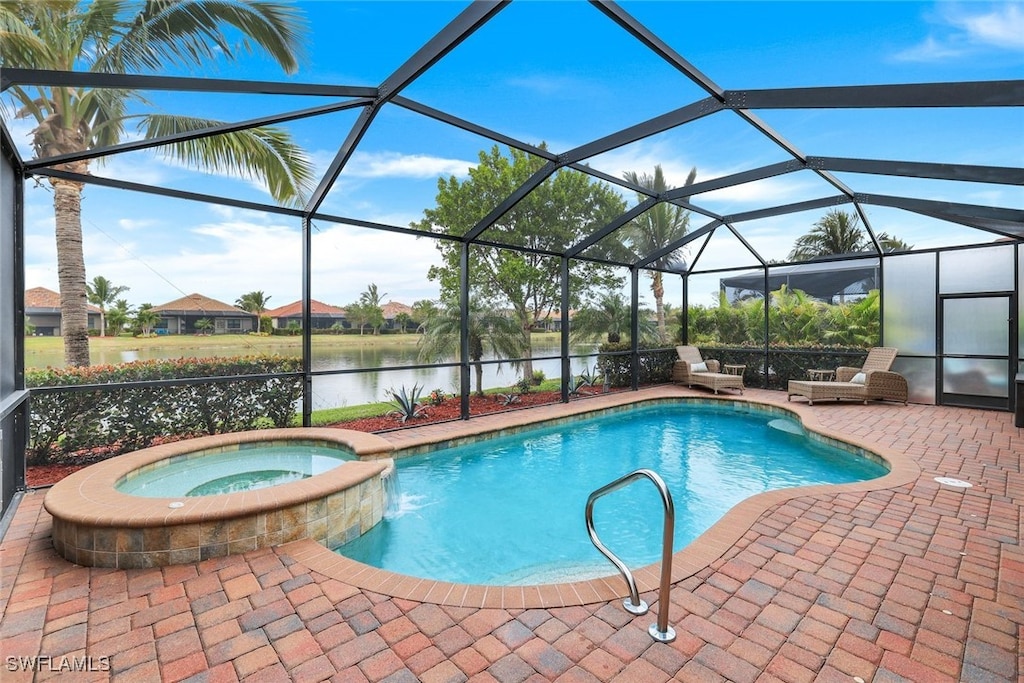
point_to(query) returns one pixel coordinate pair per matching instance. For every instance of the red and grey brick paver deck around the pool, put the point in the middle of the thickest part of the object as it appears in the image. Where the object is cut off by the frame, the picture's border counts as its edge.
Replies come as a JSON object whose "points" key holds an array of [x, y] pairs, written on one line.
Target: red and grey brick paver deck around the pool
{"points": [[918, 583]]}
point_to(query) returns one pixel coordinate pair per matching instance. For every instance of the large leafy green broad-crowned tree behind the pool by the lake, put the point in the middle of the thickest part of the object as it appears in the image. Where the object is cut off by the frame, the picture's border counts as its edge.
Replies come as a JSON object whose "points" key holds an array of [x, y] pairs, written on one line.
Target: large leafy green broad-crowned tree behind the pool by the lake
{"points": [[562, 211]]}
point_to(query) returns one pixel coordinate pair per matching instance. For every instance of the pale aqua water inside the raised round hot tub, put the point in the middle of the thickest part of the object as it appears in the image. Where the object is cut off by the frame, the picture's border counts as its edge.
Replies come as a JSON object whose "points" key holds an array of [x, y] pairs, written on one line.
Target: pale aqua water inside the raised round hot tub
{"points": [[254, 466]]}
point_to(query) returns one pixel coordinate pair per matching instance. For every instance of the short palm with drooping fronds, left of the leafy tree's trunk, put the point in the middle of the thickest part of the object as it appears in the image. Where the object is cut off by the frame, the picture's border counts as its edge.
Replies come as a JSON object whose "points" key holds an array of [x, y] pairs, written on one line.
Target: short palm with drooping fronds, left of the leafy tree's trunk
{"points": [[488, 330]]}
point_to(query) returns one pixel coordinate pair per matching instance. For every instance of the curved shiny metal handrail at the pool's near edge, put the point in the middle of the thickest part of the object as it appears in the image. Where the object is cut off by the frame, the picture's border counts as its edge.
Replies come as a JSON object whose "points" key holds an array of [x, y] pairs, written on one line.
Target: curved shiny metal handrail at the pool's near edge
{"points": [[661, 631]]}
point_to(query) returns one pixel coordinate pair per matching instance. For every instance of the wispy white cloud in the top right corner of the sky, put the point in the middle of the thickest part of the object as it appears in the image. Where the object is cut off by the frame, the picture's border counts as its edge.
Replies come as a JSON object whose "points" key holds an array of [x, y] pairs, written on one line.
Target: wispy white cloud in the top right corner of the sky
{"points": [[962, 30]]}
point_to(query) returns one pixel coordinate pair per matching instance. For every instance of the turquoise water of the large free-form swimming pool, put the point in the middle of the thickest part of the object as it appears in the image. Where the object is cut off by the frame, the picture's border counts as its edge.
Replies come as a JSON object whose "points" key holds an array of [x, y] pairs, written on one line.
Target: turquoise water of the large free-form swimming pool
{"points": [[510, 510]]}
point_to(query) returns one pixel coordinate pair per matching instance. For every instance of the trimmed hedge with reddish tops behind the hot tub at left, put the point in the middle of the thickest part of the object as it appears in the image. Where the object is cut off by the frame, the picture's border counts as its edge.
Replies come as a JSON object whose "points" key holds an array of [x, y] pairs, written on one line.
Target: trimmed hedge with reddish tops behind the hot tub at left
{"points": [[98, 423]]}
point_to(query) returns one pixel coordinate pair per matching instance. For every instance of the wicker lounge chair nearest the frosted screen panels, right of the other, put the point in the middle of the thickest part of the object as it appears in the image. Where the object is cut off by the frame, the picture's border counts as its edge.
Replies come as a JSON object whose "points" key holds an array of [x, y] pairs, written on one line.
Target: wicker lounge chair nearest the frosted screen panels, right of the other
{"points": [[873, 382]]}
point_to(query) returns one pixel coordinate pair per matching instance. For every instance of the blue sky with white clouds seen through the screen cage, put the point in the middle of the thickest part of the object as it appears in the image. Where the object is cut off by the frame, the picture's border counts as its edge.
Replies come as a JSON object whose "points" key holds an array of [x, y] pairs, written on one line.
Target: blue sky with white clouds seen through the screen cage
{"points": [[564, 74]]}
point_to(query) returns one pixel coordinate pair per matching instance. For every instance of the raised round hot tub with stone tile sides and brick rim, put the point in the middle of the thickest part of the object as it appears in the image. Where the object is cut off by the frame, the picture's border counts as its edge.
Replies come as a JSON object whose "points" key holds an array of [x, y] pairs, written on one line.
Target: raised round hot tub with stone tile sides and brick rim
{"points": [[233, 494]]}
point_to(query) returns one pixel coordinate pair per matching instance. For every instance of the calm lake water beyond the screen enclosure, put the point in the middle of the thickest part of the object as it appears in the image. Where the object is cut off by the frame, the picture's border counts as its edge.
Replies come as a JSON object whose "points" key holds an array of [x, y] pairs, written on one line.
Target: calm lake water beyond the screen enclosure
{"points": [[393, 360]]}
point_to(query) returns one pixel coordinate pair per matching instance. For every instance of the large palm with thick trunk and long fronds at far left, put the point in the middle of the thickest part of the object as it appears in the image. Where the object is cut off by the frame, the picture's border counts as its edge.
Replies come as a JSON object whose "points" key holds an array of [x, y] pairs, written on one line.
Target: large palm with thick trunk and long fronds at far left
{"points": [[141, 36]]}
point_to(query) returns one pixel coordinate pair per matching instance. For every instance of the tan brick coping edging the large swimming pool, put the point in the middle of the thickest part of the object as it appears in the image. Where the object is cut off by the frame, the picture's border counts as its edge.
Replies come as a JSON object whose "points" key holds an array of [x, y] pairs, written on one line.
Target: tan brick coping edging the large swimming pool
{"points": [[708, 548]]}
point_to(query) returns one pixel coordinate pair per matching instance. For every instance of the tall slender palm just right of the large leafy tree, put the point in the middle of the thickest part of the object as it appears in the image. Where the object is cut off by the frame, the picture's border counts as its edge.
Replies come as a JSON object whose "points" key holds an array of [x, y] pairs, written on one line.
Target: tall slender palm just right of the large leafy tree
{"points": [[655, 230]]}
